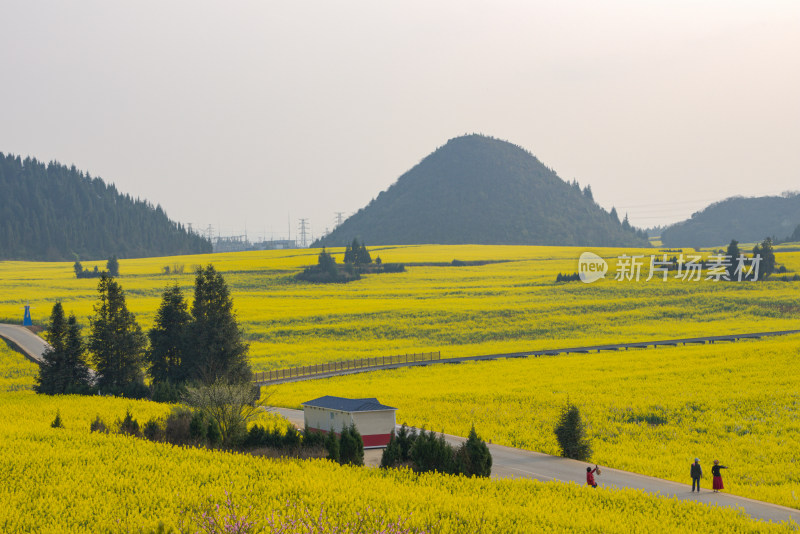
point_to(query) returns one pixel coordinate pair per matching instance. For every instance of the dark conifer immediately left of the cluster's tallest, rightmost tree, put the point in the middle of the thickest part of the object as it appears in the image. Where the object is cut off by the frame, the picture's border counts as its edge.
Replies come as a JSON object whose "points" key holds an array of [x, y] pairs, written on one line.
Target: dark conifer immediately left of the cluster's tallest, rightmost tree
{"points": [[167, 356]]}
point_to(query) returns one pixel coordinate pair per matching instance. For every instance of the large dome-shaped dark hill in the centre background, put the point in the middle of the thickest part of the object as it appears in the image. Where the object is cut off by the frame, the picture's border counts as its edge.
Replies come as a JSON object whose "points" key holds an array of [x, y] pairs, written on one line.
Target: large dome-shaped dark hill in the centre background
{"points": [[480, 190]]}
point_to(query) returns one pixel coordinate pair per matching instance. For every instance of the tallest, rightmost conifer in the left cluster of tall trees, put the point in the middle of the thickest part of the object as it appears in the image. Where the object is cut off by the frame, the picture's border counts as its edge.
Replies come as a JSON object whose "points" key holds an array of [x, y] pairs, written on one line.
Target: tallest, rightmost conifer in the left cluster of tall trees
{"points": [[218, 350]]}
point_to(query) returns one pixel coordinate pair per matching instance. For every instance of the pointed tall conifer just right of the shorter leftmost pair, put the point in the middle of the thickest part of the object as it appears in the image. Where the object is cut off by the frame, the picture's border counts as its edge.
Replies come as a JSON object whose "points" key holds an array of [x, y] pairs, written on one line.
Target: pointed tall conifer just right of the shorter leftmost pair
{"points": [[116, 341]]}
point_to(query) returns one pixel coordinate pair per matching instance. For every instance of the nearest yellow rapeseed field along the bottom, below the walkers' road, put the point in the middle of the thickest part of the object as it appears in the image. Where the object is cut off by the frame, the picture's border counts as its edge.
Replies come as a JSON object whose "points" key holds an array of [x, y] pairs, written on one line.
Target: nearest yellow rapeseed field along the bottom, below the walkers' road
{"points": [[68, 480]]}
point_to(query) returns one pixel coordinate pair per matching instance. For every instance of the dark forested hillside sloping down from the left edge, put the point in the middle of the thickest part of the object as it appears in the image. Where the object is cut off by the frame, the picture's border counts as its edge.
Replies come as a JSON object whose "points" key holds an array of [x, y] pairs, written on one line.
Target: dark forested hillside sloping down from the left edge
{"points": [[54, 212]]}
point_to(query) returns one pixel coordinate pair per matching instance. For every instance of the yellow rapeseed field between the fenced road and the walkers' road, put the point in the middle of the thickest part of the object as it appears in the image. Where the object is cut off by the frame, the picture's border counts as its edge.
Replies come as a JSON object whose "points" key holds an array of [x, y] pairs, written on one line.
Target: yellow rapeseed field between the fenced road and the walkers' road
{"points": [[649, 411]]}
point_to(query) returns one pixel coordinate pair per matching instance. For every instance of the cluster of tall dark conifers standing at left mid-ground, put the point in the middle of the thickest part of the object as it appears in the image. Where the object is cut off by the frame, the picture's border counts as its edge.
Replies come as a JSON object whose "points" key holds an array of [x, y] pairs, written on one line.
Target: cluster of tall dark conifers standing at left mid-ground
{"points": [[202, 345]]}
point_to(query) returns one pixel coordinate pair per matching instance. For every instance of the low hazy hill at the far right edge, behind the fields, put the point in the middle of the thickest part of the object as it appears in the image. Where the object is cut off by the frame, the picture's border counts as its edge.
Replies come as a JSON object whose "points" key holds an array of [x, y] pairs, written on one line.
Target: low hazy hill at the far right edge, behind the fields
{"points": [[745, 219]]}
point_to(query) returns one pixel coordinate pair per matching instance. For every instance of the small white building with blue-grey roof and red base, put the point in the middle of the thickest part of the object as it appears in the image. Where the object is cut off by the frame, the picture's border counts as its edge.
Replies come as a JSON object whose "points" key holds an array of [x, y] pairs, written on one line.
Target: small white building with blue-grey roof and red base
{"points": [[373, 420]]}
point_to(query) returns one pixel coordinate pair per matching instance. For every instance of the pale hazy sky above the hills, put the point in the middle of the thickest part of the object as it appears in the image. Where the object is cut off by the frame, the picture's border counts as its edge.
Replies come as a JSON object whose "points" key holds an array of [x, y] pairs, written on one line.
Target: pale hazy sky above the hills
{"points": [[240, 113]]}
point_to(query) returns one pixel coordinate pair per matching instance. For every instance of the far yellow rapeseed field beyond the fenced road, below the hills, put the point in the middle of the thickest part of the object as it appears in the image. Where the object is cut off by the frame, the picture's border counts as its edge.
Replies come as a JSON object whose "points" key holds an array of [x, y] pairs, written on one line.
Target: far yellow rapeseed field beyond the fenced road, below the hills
{"points": [[513, 304]]}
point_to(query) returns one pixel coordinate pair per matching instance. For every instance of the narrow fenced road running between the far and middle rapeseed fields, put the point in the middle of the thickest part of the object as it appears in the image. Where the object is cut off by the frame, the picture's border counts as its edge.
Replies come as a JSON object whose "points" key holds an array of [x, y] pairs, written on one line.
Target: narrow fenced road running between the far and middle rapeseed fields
{"points": [[308, 373]]}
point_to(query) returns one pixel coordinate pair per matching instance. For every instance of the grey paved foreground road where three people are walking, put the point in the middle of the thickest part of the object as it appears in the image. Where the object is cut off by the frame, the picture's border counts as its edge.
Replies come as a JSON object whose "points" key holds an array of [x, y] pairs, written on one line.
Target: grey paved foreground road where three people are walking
{"points": [[508, 462]]}
